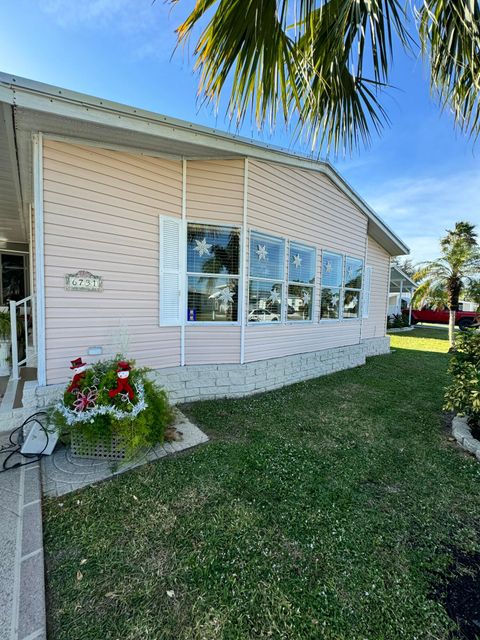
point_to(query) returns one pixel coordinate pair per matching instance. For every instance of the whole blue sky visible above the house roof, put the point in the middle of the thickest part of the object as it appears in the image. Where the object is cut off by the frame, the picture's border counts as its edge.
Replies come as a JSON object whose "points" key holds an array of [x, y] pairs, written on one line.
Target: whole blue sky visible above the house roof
{"points": [[420, 176]]}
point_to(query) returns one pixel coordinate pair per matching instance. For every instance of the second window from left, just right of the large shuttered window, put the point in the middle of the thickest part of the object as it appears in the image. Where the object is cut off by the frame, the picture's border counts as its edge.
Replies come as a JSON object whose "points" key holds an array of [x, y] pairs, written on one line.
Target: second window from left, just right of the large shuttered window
{"points": [[267, 274]]}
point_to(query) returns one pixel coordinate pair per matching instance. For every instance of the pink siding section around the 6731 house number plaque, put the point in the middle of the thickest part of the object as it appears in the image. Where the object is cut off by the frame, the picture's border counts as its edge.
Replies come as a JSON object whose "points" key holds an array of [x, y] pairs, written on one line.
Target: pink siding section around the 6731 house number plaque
{"points": [[101, 214]]}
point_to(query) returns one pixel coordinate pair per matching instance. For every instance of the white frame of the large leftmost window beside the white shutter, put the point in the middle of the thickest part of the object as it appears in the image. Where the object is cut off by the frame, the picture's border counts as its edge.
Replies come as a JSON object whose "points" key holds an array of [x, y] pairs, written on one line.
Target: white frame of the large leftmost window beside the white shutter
{"points": [[212, 323]]}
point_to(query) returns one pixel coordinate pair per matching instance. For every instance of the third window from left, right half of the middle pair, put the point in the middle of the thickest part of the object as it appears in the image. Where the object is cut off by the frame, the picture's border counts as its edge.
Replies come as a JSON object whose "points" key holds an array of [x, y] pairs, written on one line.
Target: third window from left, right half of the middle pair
{"points": [[301, 282]]}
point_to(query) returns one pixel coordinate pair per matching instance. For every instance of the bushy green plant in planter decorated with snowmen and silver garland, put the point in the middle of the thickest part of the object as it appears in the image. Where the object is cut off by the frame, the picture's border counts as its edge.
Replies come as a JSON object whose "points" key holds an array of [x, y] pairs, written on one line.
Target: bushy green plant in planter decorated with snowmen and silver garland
{"points": [[138, 422]]}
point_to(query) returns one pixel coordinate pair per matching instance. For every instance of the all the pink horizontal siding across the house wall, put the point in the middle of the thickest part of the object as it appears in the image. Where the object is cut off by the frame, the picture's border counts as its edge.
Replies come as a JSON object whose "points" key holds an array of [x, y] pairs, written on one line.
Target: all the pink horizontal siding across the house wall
{"points": [[102, 214]]}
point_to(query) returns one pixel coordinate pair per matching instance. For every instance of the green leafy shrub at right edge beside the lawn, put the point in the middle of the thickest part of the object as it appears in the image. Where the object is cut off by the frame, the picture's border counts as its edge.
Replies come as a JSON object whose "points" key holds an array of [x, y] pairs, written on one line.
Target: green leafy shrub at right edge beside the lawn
{"points": [[463, 394]]}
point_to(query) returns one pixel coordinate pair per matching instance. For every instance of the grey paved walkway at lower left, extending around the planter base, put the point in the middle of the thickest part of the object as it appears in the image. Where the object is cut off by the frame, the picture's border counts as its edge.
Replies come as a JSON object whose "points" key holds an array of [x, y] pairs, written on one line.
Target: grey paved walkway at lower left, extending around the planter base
{"points": [[22, 581]]}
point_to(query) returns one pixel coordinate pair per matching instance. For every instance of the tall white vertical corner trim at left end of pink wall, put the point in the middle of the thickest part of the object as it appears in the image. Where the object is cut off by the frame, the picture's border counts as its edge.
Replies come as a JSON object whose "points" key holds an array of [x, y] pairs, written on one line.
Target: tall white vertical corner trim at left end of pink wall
{"points": [[39, 257]]}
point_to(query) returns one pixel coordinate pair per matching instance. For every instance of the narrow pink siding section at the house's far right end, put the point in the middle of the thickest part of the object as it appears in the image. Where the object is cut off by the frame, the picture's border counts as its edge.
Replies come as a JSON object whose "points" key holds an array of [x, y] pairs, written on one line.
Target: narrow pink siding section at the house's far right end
{"points": [[378, 258]]}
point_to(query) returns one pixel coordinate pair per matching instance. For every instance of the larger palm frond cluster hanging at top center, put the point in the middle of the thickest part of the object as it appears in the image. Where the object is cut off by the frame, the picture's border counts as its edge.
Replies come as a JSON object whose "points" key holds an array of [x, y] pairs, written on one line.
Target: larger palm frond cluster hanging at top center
{"points": [[303, 57]]}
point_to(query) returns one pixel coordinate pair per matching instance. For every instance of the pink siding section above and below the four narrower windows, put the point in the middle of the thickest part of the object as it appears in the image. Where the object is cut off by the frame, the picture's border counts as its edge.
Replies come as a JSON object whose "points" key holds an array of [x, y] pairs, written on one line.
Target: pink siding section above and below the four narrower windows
{"points": [[307, 207]]}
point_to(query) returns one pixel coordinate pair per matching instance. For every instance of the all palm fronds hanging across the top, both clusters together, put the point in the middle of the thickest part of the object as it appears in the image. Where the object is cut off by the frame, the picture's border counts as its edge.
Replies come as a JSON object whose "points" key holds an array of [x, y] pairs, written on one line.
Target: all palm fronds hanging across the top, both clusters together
{"points": [[328, 61]]}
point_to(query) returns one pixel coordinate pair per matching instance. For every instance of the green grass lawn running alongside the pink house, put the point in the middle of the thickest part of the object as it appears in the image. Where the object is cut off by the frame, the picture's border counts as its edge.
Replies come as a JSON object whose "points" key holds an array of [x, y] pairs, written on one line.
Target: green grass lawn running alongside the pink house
{"points": [[335, 508]]}
